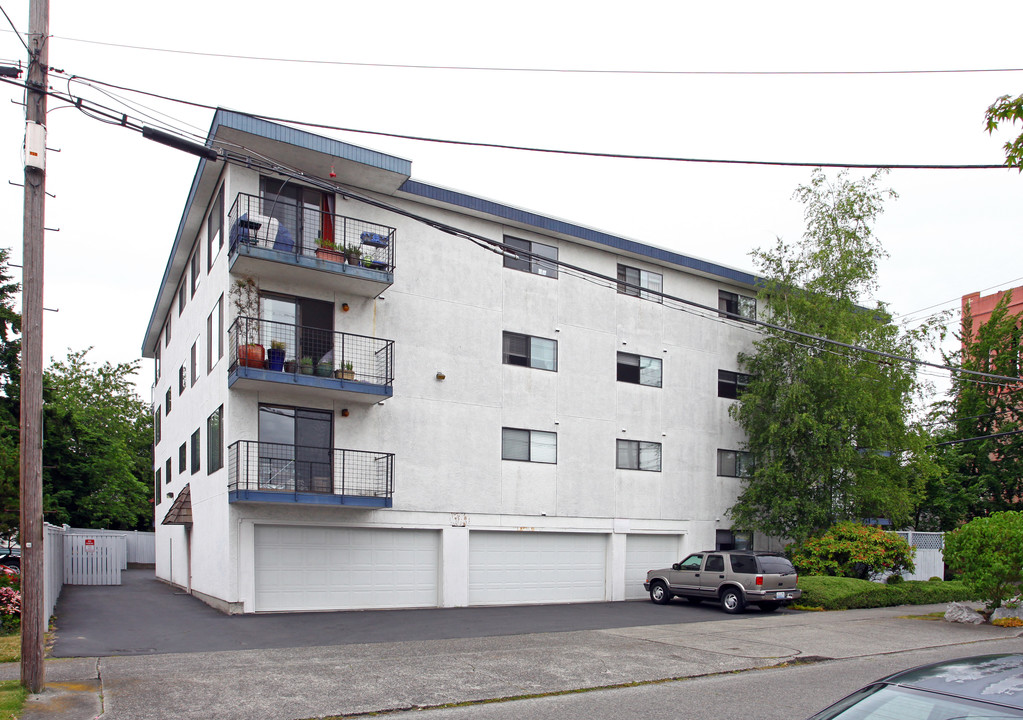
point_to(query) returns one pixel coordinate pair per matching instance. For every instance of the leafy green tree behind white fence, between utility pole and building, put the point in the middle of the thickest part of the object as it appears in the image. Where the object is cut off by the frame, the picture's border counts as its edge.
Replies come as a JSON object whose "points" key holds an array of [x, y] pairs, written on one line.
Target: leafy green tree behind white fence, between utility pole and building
{"points": [[98, 446]]}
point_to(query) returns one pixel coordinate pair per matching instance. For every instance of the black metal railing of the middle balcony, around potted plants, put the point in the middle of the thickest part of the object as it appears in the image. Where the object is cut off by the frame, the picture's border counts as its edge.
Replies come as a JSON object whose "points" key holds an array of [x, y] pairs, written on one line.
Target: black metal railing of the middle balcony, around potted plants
{"points": [[279, 347]]}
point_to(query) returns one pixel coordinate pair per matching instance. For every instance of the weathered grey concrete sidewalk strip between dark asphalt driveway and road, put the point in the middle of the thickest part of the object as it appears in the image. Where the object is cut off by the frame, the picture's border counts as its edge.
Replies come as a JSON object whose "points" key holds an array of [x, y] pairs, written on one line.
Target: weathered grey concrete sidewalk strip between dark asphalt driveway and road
{"points": [[306, 683]]}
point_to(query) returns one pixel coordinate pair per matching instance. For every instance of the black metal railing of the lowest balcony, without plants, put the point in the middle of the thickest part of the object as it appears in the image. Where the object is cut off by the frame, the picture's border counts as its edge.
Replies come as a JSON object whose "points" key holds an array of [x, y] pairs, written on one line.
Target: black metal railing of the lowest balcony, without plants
{"points": [[295, 469]]}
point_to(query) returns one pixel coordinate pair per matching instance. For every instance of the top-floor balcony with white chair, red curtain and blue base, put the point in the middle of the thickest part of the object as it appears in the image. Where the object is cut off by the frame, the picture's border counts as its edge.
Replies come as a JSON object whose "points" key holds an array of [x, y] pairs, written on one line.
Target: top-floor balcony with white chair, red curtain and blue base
{"points": [[309, 246]]}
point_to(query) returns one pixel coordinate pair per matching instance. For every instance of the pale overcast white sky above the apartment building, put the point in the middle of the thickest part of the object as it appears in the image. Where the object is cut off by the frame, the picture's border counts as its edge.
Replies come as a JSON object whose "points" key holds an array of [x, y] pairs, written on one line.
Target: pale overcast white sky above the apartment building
{"points": [[119, 198]]}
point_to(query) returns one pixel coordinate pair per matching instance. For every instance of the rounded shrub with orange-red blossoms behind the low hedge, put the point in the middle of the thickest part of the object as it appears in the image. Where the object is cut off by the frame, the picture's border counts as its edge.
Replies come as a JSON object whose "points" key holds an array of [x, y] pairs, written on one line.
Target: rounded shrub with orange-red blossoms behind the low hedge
{"points": [[853, 551]]}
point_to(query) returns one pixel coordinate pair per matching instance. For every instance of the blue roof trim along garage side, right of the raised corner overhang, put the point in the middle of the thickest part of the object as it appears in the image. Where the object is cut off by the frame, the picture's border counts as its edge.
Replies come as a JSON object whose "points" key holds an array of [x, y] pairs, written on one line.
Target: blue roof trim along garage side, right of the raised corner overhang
{"points": [[505, 212]]}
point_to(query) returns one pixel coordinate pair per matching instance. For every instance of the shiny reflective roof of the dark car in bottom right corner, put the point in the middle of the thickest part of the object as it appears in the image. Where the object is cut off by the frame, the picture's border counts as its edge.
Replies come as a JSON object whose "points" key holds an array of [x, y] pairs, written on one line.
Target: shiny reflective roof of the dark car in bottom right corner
{"points": [[990, 679]]}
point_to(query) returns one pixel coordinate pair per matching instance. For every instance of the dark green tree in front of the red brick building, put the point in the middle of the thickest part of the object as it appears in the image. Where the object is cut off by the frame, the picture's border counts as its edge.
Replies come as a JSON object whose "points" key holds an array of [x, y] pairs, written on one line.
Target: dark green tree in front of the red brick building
{"points": [[985, 467]]}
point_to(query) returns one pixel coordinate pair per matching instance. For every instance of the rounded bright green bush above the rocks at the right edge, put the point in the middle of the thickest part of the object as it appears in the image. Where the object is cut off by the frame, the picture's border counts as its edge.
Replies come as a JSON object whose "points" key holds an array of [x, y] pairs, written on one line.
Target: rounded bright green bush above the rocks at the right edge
{"points": [[988, 554]]}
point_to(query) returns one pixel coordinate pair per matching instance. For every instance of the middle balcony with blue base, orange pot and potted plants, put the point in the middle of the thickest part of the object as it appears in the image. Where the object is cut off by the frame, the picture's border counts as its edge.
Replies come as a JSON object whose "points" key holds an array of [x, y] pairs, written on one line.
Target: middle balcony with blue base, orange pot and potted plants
{"points": [[309, 361]]}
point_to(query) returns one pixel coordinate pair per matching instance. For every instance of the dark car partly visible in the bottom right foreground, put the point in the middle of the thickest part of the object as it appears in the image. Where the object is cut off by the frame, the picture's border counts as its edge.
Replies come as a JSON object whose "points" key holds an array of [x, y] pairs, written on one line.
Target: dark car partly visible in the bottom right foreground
{"points": [[982, 687]]}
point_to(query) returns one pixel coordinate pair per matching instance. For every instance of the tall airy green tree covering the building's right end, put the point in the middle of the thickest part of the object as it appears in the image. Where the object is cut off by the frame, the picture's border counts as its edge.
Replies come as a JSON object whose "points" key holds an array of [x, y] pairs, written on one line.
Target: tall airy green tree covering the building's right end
{"points": [[828, 427]]}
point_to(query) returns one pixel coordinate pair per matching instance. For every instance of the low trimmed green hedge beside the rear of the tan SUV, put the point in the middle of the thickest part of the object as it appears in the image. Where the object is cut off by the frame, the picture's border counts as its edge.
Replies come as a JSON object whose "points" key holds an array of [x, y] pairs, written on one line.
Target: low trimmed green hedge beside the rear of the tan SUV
{"points": [[848, 594]]}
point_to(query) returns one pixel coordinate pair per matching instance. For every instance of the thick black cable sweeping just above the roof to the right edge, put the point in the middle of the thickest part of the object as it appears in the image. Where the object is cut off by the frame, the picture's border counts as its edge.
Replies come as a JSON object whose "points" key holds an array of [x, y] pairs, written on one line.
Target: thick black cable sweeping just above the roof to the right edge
{"points": [[550, 151]]}
